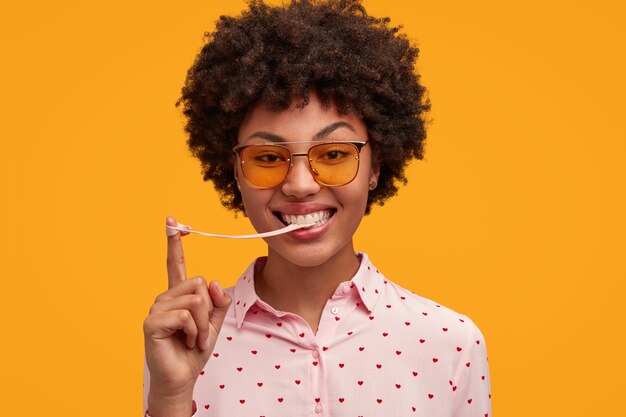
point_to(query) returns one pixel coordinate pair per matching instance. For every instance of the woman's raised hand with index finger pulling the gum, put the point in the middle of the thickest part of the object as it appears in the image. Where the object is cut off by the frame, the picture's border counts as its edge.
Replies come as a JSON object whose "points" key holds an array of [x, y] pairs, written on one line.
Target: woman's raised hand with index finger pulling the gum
{"points": [[180, 333]]}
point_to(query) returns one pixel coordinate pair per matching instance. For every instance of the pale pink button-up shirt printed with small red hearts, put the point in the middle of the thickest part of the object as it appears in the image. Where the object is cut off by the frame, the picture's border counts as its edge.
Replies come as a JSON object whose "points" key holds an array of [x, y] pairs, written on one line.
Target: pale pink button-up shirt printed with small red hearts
{"points": [[380, 351]]}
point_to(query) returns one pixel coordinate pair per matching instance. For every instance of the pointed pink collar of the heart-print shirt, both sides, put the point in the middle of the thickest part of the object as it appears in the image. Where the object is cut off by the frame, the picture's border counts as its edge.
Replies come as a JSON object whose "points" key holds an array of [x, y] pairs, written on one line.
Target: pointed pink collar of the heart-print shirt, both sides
{"points": [[368, 283]]}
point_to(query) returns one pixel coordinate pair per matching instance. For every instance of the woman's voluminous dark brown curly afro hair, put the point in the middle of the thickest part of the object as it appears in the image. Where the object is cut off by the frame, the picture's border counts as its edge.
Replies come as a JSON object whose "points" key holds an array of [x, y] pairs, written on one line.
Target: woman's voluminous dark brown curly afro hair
{"points": [[267, 55]]}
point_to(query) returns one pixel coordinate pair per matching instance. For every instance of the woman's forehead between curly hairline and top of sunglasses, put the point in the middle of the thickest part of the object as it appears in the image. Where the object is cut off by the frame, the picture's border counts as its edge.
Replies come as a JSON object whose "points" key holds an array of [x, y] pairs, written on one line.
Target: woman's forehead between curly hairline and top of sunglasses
{"points": [[301, 123]]}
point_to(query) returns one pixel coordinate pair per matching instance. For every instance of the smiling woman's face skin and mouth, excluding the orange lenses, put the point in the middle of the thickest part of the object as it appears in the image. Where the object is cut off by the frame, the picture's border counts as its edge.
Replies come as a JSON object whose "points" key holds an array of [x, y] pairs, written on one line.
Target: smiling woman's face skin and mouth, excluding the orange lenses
{"points": [[300, 194]]}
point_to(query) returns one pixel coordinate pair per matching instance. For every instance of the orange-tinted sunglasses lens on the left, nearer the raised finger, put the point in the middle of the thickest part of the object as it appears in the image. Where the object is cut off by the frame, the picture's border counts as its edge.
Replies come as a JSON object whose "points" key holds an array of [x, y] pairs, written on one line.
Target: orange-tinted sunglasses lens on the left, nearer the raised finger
{"points": [[265, 166]]}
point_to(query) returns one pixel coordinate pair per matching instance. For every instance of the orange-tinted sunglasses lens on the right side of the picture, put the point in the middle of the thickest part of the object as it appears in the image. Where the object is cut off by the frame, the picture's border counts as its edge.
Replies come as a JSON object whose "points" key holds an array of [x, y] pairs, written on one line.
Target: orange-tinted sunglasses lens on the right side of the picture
{"points": [[334, 164]]}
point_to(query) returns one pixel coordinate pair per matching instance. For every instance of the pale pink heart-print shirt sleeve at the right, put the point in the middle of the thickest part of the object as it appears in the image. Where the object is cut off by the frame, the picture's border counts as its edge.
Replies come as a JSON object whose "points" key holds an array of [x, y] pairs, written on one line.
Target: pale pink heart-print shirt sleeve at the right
{"points": [[473, 398]]}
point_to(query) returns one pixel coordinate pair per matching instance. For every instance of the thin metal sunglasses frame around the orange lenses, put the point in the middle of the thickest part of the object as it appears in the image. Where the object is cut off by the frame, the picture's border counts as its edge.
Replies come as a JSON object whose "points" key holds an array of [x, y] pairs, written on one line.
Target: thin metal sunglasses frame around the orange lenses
{"points": [[238, 150]]}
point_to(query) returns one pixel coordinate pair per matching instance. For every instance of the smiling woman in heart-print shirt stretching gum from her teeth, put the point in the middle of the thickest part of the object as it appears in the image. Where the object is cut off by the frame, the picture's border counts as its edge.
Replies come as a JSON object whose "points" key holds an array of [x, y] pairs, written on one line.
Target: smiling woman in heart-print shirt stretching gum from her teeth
{"points": [[307, 113]]}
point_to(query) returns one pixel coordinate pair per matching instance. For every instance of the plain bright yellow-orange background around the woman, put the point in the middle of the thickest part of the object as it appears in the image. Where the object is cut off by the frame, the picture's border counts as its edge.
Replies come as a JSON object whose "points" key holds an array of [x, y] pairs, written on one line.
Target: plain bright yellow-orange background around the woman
{"points": [[516, 217]]}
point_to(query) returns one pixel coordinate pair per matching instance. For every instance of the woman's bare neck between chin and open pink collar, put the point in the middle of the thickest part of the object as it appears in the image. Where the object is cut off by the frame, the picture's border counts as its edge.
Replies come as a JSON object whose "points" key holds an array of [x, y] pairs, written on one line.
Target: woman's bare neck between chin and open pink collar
{"points": [[304, 290]]}
